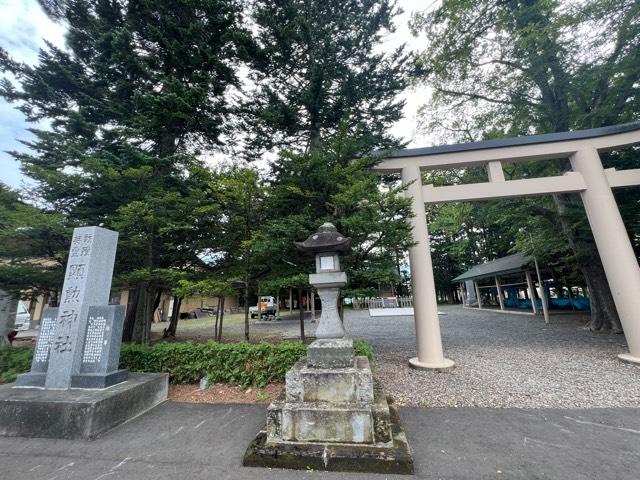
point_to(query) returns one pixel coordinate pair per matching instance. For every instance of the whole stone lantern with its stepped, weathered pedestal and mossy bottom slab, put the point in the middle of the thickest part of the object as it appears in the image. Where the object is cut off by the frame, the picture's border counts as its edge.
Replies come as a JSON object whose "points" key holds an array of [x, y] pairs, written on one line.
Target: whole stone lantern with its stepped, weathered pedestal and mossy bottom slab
{"points": [[331, 416]]}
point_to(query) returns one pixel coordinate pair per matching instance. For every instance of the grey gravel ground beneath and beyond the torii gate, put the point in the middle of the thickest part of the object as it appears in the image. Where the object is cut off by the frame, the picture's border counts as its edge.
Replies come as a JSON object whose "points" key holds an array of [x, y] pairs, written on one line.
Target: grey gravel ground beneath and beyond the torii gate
{"points": [[503, 360]]}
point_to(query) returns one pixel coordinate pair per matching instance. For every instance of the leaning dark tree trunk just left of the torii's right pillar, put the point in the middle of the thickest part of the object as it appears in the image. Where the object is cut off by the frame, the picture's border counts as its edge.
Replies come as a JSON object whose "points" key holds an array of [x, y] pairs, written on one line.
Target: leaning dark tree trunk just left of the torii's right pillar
{"points": [[604, 315]]}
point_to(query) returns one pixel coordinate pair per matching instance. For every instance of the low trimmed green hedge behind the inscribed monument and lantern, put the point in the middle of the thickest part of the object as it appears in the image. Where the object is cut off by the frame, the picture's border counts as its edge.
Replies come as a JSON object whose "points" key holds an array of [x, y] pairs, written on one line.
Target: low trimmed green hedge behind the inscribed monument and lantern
{"points": [[236, 363]]}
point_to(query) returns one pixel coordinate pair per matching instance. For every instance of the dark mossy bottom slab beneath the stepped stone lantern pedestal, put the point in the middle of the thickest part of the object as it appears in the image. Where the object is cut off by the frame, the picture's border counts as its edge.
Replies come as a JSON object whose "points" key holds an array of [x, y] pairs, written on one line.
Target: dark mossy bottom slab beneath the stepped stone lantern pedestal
{"points": [[394, 458]]}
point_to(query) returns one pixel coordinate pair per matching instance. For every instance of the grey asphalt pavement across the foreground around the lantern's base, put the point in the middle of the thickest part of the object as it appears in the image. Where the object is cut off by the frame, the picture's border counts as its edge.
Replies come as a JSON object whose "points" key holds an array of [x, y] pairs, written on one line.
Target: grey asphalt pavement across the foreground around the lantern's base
{"points": [[201, 441]]}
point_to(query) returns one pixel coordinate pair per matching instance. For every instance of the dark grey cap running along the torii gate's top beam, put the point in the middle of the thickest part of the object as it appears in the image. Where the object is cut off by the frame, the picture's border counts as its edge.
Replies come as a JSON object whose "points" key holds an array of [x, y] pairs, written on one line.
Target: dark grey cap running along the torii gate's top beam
{"points": [[515, 141]]}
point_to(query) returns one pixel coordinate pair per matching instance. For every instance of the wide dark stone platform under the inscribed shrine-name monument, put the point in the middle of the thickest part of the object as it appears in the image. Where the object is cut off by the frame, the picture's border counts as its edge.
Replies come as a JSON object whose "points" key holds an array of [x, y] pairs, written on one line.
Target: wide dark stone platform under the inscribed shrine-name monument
{"points": [[78, 413]]}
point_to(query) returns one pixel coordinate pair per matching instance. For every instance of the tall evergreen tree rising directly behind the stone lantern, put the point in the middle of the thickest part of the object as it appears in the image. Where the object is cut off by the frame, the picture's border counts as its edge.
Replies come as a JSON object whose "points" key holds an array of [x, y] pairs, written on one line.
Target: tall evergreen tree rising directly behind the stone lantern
{"points": [[325, 94]]}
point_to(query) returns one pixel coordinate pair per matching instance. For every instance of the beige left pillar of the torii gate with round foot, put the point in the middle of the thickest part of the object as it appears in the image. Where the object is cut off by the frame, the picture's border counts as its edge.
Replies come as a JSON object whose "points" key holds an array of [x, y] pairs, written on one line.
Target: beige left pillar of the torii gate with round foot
{"points": [[425, 305]]}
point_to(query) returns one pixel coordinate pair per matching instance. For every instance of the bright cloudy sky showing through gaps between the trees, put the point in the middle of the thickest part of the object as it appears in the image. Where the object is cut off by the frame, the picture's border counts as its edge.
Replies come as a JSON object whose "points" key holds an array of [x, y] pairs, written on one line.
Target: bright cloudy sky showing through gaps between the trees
{"points": [[24, 27]]}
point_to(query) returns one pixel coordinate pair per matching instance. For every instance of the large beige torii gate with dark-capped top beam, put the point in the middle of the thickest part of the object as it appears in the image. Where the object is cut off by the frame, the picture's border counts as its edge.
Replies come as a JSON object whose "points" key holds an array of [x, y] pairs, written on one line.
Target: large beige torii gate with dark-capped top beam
{"points": [[587, 177]]}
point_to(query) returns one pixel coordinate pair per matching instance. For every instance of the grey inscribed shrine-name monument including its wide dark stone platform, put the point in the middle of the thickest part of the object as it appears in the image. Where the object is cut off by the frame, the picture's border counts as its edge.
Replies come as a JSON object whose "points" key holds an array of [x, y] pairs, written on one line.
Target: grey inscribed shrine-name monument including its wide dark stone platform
{"points": [[75, 388]]}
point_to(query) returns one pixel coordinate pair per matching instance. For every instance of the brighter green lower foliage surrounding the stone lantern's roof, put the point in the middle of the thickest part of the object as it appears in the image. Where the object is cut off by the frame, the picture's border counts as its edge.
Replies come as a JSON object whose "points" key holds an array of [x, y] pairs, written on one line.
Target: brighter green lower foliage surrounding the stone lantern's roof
{"points": [[335, 184]]}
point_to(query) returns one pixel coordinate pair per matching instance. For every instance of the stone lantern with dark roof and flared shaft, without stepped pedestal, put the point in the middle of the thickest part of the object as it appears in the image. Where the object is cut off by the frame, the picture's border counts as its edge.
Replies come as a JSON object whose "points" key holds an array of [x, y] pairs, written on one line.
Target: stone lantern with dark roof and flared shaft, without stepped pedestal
{"points": [[327, 244]]}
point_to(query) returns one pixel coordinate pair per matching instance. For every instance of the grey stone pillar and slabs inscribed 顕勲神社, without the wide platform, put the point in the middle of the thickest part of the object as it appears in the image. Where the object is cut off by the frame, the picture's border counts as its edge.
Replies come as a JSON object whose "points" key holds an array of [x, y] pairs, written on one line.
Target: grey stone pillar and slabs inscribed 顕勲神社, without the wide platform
{"points": [[79, 340]]}
